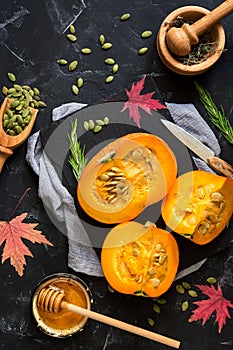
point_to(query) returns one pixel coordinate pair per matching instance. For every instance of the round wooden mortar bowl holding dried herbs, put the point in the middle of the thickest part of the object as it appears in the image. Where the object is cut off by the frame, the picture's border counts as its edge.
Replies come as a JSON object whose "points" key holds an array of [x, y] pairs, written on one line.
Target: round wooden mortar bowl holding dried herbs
{"points": [[217, 36]]}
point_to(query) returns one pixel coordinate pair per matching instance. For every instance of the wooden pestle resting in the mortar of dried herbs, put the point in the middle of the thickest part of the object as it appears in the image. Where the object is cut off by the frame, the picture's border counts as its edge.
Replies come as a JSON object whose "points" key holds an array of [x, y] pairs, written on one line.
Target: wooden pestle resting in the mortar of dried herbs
{"points": [[180, 40]]}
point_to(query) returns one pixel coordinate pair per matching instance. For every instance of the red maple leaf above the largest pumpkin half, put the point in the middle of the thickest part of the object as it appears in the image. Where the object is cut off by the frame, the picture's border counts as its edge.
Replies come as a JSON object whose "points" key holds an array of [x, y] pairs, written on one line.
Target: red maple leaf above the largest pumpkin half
{"points": [[135, 100]]}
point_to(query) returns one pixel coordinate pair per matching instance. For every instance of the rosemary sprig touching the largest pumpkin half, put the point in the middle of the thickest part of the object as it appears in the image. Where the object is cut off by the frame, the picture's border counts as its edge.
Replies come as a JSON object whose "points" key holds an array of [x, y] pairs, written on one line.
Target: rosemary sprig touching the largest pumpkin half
{"points": [[77, 157]]}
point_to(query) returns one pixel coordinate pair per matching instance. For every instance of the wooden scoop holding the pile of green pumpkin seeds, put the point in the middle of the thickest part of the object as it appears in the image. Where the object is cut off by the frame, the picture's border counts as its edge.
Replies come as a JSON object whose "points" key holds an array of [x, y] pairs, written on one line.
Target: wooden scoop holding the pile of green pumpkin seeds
{"points": [[8, 142]]}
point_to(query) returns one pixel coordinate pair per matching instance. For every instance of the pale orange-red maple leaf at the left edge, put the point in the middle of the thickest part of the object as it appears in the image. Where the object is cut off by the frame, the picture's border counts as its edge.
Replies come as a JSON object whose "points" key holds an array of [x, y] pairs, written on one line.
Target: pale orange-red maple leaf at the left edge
{"points": [[12, 233]]}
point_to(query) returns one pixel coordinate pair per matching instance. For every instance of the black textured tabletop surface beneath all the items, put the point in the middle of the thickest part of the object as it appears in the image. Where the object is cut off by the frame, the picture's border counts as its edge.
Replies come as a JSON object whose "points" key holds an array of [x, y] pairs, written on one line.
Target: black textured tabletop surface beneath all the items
{"points": [[32, 38]]}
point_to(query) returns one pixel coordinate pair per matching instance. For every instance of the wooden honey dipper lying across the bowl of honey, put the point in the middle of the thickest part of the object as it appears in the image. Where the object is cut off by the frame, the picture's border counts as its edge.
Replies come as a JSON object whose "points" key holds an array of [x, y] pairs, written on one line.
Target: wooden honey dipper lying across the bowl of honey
{"points": [[52, 300]]}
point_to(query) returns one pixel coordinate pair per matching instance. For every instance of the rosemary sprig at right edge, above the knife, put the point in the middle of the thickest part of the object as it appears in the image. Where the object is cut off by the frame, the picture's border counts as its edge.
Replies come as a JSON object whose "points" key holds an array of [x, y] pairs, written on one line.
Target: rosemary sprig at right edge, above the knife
{"points": [[217, 116]]}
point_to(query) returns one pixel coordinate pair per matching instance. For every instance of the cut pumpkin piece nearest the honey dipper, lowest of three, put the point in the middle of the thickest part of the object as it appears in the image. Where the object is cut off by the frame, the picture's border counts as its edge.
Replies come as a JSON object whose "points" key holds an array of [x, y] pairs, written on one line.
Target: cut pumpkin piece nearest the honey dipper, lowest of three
{"points": [[139, 259]]}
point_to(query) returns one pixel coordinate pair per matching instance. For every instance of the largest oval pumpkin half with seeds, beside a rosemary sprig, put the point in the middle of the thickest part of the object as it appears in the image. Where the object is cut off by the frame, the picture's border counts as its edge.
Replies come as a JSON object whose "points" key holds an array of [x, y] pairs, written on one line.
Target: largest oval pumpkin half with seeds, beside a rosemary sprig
{"points": [[127, 175]]}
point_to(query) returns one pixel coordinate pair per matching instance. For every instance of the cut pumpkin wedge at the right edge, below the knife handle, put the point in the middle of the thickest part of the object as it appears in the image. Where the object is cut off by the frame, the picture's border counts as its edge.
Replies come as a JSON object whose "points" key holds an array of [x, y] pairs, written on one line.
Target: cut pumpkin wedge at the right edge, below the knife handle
{"points": [[199, 205]]}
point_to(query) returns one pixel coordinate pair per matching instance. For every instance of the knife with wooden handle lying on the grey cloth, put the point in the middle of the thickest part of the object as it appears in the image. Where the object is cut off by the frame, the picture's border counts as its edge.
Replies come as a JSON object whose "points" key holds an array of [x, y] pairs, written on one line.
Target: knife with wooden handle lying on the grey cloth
{"points": [[203, 152]]}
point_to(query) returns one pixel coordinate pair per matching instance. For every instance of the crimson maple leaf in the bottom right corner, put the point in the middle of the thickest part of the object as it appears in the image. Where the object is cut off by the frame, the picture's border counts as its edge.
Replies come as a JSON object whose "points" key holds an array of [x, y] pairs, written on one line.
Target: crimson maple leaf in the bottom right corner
{"points": [[216, 302]]}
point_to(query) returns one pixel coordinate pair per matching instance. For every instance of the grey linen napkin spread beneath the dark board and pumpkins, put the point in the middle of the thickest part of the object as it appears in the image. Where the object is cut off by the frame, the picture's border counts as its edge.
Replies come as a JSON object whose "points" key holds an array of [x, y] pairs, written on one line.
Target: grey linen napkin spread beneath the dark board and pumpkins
{"points": [[81, 256]]}
